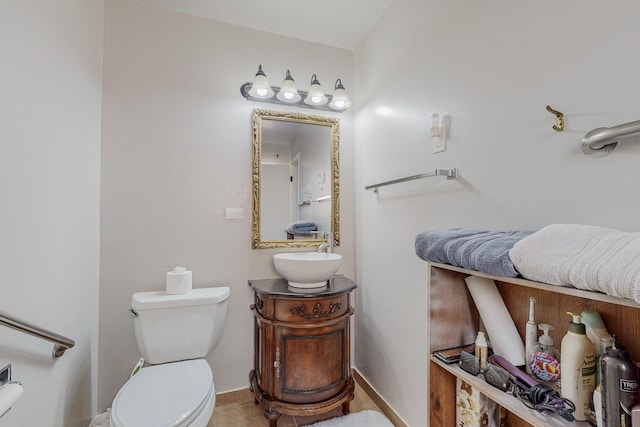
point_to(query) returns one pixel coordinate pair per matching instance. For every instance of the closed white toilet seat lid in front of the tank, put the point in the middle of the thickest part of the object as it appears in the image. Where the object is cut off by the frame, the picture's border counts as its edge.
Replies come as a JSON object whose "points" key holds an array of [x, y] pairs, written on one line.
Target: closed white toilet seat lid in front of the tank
{"points": [[171, 395]]}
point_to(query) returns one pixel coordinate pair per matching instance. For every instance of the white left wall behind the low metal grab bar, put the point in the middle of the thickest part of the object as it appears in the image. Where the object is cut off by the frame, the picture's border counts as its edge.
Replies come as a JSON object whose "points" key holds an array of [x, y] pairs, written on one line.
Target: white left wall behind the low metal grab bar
{"points": [[50, 95]]}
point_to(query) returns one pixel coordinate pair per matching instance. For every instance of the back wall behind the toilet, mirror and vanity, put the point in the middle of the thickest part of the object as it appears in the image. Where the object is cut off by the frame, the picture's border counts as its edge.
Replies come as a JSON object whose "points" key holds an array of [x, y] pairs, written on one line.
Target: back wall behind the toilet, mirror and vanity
{"points": [[176, 151]]}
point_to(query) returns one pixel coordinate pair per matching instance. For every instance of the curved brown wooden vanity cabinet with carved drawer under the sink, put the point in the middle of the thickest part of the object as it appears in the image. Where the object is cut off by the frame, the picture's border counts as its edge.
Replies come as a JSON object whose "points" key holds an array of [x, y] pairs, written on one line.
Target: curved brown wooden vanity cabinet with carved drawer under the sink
{"points": [[301, 348]]}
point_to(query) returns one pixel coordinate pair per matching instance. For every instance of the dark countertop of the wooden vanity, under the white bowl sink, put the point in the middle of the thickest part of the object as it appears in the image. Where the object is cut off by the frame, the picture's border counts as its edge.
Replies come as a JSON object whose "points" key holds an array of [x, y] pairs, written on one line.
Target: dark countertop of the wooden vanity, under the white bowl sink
{"points": [[337, 285]]}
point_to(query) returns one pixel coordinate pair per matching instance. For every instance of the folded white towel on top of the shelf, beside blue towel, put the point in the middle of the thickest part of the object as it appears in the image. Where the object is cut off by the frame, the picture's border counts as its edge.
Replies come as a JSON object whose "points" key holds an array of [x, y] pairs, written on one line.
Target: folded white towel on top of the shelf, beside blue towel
{"points": [[583, 256]]}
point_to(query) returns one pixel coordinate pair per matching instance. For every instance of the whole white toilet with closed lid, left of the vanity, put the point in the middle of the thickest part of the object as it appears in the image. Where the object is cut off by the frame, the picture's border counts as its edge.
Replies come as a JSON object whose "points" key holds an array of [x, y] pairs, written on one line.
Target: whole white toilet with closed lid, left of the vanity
{"points": [[174, 333]]}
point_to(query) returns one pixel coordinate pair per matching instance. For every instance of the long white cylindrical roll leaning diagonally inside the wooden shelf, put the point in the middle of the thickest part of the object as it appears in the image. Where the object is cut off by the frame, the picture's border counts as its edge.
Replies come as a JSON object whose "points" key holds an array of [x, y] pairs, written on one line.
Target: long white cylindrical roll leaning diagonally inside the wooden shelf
{"points": [[505, 340]]}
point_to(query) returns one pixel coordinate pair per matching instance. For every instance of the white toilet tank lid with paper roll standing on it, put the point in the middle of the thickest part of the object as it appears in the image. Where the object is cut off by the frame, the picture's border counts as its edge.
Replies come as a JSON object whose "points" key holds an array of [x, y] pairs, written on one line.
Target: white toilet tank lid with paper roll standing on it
{"points": [[161, 299]]}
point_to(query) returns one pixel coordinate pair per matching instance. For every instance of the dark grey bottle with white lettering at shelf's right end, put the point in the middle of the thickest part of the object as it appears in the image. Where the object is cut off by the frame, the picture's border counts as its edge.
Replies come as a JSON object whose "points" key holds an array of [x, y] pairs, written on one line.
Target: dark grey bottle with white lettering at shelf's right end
{"points": [[619, 386]]}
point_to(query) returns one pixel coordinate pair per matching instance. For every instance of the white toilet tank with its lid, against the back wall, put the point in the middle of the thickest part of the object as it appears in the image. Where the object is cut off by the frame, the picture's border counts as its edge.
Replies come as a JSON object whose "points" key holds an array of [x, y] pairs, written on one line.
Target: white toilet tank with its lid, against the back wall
{"points": [[169, 328]]}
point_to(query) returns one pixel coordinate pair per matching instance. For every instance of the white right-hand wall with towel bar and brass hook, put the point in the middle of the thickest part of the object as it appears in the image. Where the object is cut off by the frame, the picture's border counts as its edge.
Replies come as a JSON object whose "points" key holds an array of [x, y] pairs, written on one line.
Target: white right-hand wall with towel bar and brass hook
{"points": [[494, 67]]}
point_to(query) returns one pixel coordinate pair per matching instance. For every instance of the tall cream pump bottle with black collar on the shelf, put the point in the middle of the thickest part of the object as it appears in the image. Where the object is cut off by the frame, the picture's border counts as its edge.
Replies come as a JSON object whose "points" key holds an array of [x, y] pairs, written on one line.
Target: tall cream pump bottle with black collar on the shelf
{"points": [[578, 362]]}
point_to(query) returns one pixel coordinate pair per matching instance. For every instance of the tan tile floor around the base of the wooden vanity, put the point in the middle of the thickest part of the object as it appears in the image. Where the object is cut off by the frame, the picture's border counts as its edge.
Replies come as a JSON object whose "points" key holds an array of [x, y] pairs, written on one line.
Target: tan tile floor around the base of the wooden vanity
{"points": [[237, 409]]}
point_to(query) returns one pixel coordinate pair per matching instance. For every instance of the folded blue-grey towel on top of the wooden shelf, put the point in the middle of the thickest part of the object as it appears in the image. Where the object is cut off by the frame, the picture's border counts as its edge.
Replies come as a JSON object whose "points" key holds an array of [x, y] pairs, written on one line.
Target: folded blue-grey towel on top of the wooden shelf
{"points": [[479, 250]]}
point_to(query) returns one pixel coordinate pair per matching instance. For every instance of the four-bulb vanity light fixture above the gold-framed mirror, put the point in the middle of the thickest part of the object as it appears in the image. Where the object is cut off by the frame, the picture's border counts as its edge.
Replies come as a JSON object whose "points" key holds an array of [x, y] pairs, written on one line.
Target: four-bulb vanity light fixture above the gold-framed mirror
{"points": [[260, 90]]}
